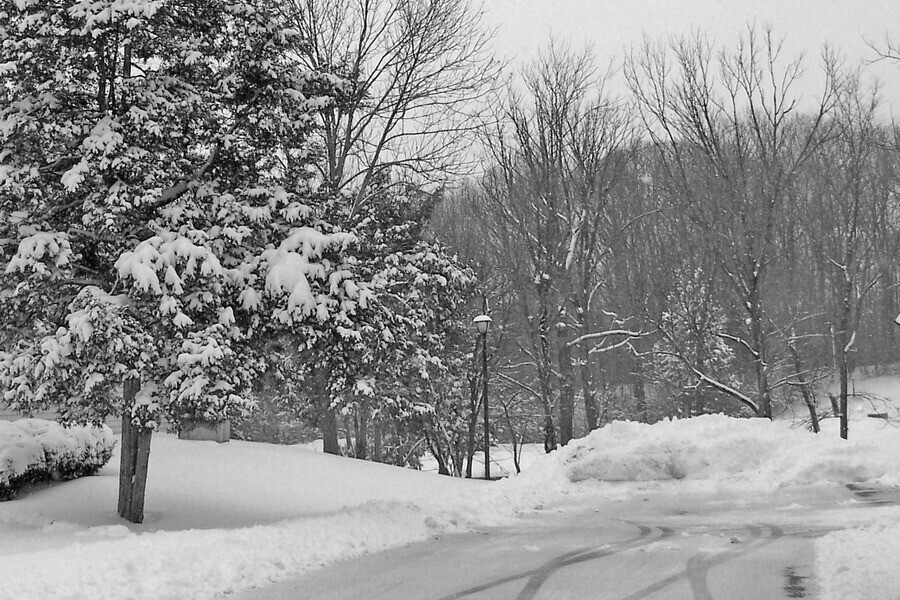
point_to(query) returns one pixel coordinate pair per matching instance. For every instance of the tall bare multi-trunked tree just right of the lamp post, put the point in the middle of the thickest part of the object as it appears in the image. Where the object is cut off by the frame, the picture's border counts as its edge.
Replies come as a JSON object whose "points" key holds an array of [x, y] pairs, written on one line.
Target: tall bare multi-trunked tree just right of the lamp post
{"points": [[557, 154]]}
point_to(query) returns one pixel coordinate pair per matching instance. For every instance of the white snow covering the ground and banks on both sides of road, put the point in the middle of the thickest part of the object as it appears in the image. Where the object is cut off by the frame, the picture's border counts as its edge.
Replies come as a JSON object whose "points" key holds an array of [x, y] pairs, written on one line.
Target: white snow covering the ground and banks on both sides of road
{"points": [[222, 518]]}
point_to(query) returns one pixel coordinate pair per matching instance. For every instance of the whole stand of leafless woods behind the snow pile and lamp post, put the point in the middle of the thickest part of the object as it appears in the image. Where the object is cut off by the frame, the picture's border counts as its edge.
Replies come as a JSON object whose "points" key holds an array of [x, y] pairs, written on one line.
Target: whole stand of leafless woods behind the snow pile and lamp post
{"points": [[712, 241]]}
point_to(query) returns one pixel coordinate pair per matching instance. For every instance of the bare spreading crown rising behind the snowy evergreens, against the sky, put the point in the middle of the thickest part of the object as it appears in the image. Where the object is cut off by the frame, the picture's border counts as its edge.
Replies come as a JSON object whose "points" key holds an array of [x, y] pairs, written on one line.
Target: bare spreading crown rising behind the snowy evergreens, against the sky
{"points": [[416, 72]]}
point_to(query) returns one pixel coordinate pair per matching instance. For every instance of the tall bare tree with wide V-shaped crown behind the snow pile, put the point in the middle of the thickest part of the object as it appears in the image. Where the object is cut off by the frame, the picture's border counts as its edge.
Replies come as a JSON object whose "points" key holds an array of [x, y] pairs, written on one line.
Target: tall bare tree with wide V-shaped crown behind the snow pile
{"points": [[725, 126]]}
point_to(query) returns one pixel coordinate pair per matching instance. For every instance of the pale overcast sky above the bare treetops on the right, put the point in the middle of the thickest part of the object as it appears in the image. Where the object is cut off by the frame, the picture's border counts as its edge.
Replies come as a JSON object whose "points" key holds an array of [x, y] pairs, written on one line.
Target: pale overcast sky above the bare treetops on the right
{"points": [[525, 26]]}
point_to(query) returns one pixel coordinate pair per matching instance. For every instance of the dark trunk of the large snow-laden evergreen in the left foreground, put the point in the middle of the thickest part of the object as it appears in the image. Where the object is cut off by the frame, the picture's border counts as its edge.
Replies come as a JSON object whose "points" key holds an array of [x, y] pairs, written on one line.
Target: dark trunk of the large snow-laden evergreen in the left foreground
{"points": [[134, 460]]}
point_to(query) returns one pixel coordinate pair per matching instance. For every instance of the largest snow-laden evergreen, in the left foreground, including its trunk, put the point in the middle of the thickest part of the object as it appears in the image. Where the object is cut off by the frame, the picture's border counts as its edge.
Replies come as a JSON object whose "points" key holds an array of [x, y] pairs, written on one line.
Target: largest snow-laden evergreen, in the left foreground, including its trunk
{"points": [[154, 222]]}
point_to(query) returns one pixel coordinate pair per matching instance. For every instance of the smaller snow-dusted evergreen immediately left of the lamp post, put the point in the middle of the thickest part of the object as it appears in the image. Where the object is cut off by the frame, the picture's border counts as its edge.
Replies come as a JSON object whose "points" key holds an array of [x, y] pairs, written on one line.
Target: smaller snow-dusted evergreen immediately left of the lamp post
{"points": [[420, 330]]}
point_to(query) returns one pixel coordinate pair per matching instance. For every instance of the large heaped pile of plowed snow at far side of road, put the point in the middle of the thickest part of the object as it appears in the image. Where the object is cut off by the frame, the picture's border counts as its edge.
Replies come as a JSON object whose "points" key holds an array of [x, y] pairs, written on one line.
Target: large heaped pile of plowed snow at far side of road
{"points": [[750, 453]]}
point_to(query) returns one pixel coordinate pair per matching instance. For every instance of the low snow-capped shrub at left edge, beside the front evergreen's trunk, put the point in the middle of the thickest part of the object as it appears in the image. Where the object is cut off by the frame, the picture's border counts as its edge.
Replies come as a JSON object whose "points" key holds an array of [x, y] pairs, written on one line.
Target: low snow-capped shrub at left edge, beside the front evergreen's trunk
{"points": [[33, 449]]}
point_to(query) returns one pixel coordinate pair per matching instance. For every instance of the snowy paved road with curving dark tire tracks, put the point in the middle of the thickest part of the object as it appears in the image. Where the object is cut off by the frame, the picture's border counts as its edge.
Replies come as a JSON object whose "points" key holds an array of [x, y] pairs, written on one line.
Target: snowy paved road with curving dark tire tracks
{"points": [[654, 547]]}
